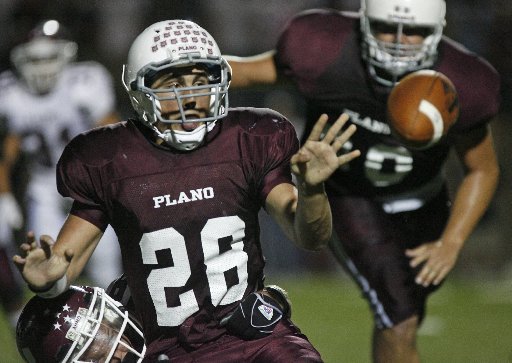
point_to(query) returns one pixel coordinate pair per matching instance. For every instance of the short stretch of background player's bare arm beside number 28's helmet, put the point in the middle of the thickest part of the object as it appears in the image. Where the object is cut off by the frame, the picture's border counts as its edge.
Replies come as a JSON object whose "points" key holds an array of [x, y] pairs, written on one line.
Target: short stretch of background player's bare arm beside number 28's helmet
{"points": [[253, 70]]}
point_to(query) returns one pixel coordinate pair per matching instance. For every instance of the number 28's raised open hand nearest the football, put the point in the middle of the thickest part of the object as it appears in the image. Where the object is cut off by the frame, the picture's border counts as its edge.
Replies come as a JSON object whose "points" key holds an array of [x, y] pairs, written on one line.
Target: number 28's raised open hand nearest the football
{"points": [[317, 159]]}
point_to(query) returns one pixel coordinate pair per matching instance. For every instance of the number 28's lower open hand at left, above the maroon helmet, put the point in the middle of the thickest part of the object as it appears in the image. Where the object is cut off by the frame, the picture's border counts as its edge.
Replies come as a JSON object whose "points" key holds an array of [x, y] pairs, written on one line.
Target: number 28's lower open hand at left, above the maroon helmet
{"points": [[38, 264]]}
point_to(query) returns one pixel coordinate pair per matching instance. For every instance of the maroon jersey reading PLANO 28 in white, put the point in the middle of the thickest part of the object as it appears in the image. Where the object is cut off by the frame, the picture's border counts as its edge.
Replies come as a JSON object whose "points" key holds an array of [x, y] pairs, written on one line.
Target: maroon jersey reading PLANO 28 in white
{"points": [[187, 222]]}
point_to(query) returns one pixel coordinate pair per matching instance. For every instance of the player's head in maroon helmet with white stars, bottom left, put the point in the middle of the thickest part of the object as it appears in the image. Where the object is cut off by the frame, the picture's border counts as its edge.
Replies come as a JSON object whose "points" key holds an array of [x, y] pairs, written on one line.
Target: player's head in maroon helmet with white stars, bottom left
{"points": [[83, 324]]}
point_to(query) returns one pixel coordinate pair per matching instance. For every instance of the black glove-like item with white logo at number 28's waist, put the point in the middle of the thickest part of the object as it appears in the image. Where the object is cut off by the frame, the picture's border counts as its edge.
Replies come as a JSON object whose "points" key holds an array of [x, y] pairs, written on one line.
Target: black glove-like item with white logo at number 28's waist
{"points": [[258, 314]]}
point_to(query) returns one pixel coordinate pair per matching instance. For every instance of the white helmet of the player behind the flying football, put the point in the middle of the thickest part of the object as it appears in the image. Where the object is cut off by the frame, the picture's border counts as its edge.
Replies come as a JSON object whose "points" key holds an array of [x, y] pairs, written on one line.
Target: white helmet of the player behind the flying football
{"points": [[388, 61]]}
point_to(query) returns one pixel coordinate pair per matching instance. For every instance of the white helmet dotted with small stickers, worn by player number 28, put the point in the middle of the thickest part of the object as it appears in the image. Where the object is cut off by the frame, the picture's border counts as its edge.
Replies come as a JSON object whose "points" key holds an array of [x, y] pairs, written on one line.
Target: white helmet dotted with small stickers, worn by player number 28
{"points": [[160, 48]]}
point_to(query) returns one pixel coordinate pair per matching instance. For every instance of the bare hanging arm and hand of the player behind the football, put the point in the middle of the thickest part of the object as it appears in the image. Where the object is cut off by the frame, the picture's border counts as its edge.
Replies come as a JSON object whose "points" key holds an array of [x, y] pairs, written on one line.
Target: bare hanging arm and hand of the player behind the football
{"points": [[473, 196]]}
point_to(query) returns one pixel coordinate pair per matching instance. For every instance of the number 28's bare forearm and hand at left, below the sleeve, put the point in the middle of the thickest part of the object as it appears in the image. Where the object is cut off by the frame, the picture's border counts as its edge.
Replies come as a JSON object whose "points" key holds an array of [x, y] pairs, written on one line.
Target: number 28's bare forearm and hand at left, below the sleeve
{"points": [[50, 266]]}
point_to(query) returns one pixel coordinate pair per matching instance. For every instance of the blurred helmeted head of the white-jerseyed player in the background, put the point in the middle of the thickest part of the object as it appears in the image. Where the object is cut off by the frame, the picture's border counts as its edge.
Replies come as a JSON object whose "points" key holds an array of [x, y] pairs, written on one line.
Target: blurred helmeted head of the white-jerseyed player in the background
{"points": [[41, 59]]}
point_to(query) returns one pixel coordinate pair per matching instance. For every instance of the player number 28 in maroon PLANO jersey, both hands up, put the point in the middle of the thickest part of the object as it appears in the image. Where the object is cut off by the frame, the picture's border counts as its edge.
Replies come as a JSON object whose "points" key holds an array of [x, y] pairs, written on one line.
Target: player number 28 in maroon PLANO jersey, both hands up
{"points": [[182, 185]]}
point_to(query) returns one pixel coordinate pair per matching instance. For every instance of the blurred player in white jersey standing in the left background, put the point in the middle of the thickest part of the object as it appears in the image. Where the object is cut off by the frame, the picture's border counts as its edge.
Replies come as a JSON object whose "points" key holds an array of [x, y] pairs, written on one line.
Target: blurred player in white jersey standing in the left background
{"points": [[46, 99]]}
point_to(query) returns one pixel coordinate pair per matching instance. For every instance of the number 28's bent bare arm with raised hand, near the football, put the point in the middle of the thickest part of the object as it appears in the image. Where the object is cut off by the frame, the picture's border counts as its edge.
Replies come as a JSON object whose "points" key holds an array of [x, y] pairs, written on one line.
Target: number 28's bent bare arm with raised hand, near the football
{"points": [[304, 212]]}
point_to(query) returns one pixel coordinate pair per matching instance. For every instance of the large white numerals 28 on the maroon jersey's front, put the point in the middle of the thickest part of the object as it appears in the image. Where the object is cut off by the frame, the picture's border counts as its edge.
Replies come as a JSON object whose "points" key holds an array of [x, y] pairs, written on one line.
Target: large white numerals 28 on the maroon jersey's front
{"points": [[231, 229]]}
